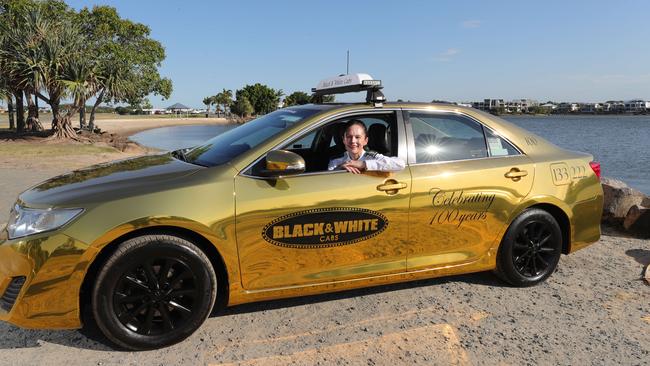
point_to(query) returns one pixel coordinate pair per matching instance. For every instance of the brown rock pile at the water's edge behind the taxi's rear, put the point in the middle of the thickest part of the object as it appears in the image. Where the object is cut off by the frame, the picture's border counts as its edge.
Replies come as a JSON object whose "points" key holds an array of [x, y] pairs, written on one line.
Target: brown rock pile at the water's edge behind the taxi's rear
{"points": [[626, 209]]}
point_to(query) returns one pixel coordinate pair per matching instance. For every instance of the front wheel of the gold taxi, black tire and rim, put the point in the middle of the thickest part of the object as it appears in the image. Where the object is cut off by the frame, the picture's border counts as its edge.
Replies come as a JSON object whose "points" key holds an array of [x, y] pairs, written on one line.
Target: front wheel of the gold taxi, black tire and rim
{"points": [[154, 291]]}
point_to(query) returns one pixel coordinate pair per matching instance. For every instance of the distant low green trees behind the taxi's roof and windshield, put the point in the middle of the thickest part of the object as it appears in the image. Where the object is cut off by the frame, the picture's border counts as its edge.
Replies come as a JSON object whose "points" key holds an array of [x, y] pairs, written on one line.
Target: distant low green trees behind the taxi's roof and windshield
{"points": [[256, 99]]}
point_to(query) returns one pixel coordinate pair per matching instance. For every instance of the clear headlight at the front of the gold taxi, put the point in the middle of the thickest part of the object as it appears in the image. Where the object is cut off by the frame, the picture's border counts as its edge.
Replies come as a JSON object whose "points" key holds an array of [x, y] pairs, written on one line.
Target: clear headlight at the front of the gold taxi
{"points": [[28, 221]]}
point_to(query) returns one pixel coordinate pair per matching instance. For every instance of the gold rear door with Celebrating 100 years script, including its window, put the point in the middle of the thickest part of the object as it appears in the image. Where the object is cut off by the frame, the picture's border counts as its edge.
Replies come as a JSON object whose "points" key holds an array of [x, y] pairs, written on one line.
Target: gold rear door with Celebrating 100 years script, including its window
{"points": [[466, 183]]}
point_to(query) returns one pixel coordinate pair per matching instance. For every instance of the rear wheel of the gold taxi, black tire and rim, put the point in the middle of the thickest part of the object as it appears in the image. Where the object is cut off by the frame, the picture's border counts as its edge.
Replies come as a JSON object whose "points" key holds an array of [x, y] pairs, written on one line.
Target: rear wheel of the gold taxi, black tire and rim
{"points": [[530, 249]]}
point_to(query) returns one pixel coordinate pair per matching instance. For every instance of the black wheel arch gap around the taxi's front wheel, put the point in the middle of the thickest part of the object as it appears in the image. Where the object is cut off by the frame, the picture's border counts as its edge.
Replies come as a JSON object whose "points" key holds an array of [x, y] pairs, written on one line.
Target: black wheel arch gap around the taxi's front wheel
{"points": [[208, 248]]}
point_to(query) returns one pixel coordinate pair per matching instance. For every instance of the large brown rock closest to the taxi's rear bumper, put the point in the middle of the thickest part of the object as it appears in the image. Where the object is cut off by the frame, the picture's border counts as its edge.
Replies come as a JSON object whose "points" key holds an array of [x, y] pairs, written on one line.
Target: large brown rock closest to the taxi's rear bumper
{"points": [[619, 198]]}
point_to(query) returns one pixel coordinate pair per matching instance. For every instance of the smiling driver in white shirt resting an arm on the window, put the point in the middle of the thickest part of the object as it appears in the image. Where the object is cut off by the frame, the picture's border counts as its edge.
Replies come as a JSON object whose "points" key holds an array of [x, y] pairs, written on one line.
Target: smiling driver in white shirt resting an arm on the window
{"points": [[356, 160]]}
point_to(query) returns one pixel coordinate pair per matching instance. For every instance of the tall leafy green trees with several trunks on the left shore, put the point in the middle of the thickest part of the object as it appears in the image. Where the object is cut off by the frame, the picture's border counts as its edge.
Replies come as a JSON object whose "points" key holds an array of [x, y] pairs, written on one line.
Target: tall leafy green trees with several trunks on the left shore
{"points": [[49, 52]]}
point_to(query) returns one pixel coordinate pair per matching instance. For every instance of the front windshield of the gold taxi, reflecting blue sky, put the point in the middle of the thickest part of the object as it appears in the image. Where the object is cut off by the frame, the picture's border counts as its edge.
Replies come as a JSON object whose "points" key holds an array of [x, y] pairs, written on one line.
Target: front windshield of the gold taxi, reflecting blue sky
{"points": [[226, 146]]}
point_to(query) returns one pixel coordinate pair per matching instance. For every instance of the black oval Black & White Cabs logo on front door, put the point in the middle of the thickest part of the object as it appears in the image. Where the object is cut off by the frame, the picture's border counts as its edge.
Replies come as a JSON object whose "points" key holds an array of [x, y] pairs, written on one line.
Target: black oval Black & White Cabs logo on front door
{"points": [[324, 227]]}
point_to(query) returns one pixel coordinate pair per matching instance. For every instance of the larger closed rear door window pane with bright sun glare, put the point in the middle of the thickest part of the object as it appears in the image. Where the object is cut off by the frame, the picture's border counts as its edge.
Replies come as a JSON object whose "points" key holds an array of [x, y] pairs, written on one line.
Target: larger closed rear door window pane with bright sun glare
{"points": [[443, 137]]}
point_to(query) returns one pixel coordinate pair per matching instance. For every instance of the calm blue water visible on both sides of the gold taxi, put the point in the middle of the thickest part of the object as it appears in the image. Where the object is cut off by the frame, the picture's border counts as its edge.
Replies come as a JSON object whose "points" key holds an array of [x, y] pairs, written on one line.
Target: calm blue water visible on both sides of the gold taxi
{"points": [[620, 143]]}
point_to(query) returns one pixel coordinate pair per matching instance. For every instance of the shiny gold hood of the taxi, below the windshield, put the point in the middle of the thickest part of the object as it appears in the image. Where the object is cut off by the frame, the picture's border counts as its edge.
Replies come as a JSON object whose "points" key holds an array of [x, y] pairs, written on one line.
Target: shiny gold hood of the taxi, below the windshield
{"points": [[110, 181]]}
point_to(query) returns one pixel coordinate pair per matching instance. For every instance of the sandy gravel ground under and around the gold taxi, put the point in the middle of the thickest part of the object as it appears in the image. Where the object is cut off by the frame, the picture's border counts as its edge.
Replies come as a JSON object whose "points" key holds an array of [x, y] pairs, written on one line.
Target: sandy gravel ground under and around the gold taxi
{"points": [[593, 310]]}
